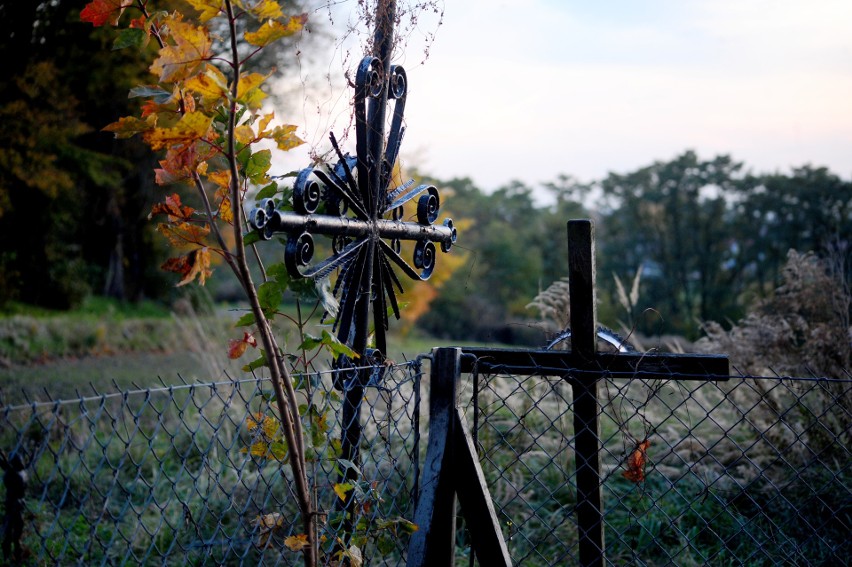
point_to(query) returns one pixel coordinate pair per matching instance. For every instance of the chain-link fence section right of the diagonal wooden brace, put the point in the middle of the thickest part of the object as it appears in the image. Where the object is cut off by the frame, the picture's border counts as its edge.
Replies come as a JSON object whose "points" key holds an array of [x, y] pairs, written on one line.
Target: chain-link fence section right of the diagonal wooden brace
{"points": [[752, 470]]}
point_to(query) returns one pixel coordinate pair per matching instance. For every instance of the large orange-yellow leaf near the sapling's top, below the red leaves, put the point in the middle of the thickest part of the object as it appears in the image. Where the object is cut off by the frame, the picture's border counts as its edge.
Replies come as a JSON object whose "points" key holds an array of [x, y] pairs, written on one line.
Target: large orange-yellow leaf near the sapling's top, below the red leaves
{"points": [[192, 47]]}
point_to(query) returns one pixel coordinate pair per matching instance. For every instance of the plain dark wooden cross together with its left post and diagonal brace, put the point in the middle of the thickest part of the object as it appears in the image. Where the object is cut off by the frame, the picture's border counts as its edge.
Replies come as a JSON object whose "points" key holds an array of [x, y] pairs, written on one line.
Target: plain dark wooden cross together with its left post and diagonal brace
{"points": [[583, 367]]}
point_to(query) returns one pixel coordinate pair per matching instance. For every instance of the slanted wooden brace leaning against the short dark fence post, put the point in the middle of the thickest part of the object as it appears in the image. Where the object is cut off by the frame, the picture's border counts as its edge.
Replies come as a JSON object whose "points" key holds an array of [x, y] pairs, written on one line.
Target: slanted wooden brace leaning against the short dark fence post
{"points": [[475, 499]]}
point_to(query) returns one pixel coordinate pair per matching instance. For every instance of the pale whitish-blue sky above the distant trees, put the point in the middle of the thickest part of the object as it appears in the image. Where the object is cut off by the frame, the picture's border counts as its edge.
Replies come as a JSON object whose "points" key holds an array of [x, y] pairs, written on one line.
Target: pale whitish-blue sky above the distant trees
{"points": [[529, 90]]}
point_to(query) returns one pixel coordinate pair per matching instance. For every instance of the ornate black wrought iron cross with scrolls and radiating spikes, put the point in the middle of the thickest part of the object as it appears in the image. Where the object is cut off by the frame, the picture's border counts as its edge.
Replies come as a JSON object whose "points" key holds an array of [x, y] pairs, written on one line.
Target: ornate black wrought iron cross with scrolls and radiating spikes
{"points": [[349, 202]]}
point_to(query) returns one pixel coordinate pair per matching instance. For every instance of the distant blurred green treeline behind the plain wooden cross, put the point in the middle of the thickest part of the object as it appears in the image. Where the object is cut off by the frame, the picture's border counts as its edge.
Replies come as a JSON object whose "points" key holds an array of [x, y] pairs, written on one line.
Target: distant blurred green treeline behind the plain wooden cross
{"points": [[709, 237]]}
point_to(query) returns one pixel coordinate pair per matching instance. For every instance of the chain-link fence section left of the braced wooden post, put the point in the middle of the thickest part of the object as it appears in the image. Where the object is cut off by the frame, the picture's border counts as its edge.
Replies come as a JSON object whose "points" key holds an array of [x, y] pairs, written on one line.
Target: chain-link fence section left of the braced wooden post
{"points": [[196, 474]]}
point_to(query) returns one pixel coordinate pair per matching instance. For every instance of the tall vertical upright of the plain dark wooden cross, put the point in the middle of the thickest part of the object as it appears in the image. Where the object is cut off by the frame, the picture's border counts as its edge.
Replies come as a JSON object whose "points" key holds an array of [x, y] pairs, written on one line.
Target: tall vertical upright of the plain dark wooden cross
{"points": [[587, 445]]}
